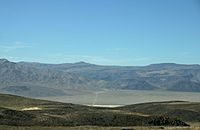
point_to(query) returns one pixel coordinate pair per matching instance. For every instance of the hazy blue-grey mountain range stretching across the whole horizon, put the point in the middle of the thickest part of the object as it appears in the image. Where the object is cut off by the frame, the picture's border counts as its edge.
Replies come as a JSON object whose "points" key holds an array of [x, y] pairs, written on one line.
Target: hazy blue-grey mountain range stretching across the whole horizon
{"points": [[37, 79]]}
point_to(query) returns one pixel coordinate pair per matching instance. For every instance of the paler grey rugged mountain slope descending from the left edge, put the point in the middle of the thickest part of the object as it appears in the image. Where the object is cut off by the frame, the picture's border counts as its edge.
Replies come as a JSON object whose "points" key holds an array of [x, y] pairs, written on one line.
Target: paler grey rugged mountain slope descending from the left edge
{"points": [[31, 81]]}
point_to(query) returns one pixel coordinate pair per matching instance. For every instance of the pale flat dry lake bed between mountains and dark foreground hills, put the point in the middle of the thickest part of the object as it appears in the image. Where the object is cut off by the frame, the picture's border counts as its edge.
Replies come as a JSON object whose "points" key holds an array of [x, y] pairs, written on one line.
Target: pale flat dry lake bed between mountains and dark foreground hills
{"points": [[112, 98]]}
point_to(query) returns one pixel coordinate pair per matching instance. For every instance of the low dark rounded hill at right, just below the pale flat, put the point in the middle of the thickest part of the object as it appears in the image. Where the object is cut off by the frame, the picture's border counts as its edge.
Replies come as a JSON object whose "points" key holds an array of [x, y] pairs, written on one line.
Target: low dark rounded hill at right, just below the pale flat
{"points": [[186, 111]]}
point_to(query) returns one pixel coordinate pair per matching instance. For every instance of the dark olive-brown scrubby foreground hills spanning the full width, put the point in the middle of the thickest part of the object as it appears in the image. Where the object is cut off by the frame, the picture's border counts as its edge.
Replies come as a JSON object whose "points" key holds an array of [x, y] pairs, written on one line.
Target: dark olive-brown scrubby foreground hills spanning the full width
{"points": [[19, 111]]}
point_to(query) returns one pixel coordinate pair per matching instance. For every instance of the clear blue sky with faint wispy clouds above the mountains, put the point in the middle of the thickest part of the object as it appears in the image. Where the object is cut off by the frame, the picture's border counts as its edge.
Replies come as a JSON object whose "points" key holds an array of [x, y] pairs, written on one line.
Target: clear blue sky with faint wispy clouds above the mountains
{"points": [[107, 32]]}
